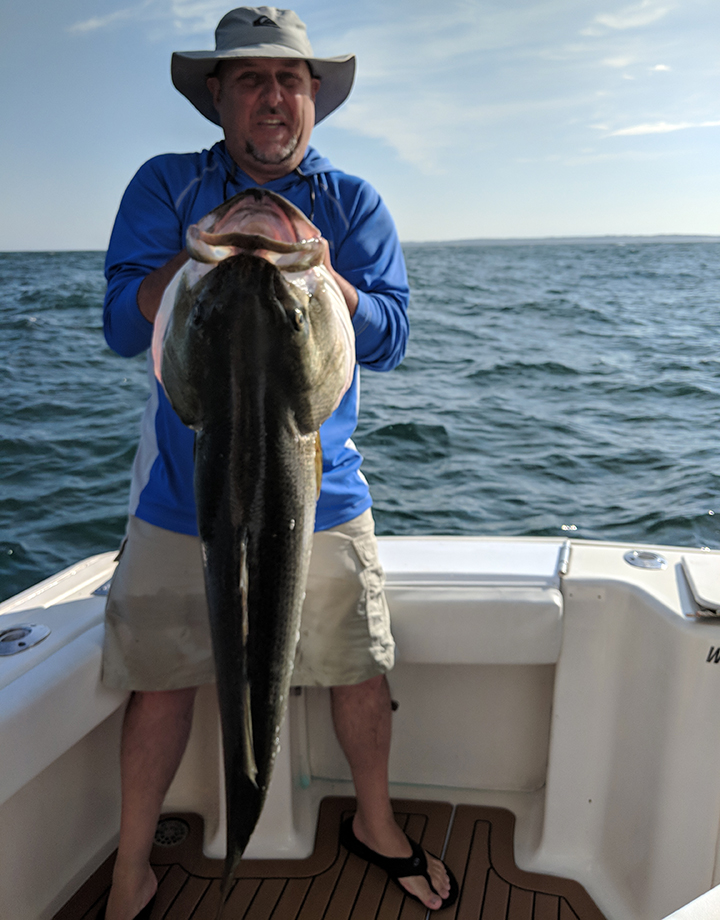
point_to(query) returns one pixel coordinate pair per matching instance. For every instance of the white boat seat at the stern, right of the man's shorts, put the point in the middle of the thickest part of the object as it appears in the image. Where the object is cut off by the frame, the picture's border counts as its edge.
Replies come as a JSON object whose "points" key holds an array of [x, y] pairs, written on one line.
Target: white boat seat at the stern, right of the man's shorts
{"points": [[474, 601]]}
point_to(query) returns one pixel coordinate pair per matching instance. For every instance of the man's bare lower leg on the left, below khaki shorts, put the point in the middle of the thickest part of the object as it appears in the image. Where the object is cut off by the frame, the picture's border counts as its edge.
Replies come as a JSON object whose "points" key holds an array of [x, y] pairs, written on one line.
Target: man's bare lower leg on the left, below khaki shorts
{"points": [[155, 734]]}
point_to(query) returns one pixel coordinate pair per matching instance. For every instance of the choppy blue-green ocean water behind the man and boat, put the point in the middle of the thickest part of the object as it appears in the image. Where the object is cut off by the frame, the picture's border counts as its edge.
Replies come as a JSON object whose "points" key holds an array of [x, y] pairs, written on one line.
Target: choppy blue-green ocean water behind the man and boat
{"points": [[553, 388]]}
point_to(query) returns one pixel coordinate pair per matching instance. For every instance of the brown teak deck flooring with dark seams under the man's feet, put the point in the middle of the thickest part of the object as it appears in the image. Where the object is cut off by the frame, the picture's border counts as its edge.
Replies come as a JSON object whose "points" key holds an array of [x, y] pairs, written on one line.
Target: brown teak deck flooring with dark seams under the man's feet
{"points": [[332, 884]]}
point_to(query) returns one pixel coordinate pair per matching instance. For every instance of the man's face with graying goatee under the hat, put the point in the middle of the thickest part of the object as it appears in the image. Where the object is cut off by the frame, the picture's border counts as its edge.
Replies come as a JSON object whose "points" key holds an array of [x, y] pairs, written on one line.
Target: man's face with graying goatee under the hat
{"points": [[267, 110]]}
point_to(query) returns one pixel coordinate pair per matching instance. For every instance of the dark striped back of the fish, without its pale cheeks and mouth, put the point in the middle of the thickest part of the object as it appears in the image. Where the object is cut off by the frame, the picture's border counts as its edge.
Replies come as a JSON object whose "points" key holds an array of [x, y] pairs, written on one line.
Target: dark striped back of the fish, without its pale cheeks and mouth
{"points": [[255, 488]]}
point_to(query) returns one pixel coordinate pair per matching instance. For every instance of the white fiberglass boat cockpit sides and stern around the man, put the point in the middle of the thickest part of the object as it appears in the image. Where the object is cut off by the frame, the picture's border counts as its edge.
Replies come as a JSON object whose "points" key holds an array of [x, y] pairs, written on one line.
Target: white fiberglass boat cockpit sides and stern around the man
{"points": [[586, 703]]}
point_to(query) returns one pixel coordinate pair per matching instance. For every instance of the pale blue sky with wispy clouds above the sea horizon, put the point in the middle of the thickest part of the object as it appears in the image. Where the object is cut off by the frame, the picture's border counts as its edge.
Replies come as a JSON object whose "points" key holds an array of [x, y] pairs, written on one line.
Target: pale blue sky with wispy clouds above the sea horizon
{"points": [[472, 118]]}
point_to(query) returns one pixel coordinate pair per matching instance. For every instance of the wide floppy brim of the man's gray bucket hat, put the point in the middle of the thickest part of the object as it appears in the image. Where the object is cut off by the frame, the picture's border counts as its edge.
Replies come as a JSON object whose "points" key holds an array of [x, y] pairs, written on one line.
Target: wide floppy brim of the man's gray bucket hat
{"points": [[190, 70]]}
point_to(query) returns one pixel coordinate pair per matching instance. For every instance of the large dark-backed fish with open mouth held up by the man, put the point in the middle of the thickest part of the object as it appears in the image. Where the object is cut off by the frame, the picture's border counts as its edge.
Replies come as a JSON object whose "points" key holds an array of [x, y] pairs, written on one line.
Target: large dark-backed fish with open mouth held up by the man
{"points": [[254, 347]]}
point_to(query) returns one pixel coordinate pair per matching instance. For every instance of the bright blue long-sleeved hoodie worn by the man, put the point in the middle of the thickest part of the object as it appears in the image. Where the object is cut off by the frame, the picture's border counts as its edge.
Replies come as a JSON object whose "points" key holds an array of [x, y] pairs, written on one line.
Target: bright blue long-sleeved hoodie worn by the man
{"points": [[173, 191]]}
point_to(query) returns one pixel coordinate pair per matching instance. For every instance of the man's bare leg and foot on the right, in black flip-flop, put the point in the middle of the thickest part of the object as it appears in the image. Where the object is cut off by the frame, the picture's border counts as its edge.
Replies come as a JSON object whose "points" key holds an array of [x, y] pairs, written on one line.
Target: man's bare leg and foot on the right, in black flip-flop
{"points": [[362, 715]]}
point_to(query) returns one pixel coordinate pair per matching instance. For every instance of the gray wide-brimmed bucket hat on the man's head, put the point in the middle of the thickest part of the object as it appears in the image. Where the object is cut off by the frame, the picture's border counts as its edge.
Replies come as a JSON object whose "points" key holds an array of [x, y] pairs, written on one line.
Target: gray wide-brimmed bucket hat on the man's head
{"points": [[261, 31]]}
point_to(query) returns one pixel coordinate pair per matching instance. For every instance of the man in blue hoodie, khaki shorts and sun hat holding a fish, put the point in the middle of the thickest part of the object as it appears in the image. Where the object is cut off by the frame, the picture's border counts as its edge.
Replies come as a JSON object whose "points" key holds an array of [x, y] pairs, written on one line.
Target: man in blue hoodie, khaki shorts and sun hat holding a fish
{"points": [[265, 88]]}
